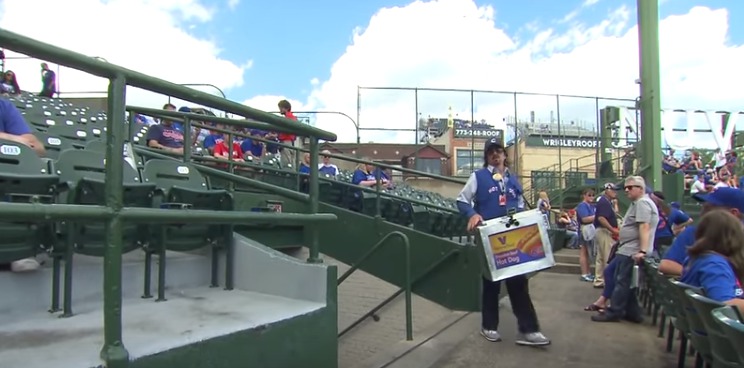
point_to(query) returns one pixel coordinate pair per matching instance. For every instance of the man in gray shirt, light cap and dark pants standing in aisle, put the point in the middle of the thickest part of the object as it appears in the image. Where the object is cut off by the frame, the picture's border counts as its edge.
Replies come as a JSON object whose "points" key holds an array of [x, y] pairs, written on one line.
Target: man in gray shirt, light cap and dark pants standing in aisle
{"points": [[636, 241]]}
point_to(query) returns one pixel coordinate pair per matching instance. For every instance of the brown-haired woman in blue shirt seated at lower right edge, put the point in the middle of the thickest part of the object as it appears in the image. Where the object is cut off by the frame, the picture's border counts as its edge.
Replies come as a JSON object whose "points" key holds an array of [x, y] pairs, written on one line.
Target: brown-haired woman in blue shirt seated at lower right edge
{"points": [[716, 261]]}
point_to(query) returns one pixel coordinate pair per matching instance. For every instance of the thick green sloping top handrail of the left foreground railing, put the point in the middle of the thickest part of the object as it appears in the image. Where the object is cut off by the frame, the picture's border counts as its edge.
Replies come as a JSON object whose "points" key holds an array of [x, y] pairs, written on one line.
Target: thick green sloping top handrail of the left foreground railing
{"points": [[41, 50]]}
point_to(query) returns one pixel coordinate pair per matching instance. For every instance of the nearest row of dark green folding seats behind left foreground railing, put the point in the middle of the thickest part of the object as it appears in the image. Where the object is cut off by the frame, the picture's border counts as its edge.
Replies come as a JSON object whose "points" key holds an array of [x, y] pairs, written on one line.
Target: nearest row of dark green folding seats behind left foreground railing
{"points": [[77, 177]]}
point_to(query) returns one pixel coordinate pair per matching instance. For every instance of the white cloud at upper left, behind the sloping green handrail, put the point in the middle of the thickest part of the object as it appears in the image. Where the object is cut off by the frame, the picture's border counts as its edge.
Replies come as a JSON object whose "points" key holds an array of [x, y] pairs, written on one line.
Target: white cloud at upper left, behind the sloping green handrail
{"points": [[149, 36]]}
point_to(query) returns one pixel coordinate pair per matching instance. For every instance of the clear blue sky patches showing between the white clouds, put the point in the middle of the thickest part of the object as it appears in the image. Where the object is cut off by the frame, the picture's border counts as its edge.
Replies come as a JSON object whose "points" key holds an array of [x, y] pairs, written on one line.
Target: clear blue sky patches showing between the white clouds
{"points": [[293, 41]]}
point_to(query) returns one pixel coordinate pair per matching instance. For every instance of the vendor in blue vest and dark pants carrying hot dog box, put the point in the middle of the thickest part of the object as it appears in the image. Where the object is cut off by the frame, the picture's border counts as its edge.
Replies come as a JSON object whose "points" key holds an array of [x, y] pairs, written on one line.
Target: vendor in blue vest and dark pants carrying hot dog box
{"points": [[489, 193]]}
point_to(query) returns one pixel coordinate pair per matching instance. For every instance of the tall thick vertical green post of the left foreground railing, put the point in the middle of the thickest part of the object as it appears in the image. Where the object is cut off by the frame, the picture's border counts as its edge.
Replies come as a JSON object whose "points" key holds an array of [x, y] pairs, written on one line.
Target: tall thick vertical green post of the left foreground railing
{"points": [[114, 352]]}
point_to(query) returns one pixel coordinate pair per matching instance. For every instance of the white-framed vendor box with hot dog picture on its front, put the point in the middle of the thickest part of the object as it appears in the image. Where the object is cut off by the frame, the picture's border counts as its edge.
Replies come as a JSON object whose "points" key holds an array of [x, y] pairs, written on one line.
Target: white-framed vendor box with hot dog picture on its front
{"points": [[516, 245]]}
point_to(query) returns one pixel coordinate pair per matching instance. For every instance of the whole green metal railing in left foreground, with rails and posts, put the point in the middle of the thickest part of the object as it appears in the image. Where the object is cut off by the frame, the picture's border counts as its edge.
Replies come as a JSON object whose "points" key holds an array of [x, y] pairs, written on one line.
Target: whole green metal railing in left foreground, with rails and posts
{"points": [[113, 213]]}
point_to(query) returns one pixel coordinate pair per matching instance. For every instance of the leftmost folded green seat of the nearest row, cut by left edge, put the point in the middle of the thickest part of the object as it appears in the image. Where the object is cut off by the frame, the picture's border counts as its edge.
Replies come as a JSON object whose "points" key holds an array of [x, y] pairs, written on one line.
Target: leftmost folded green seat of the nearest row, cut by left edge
{"points": [[24, 178]]}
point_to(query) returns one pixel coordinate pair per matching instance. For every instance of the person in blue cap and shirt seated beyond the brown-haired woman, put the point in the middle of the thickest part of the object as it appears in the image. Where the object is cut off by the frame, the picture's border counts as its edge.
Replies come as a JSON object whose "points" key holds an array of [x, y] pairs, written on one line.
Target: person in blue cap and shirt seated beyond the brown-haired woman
{"points": [[730, 199]]}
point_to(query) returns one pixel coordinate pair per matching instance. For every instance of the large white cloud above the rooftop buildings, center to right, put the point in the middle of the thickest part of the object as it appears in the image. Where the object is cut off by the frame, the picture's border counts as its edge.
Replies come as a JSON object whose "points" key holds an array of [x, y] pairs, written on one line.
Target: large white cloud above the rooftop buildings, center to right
{"points": [[456, 44]]}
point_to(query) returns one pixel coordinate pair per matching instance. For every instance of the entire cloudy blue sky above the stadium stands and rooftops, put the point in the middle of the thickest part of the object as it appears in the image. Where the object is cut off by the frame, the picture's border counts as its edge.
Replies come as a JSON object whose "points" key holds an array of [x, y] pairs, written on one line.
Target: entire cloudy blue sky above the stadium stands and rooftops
{"points": [[318, 54]]}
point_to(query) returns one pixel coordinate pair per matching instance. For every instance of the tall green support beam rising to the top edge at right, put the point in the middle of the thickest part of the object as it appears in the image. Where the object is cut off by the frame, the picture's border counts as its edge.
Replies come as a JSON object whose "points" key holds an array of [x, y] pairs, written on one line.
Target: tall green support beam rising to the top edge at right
{"points": [[650, 101]]}
